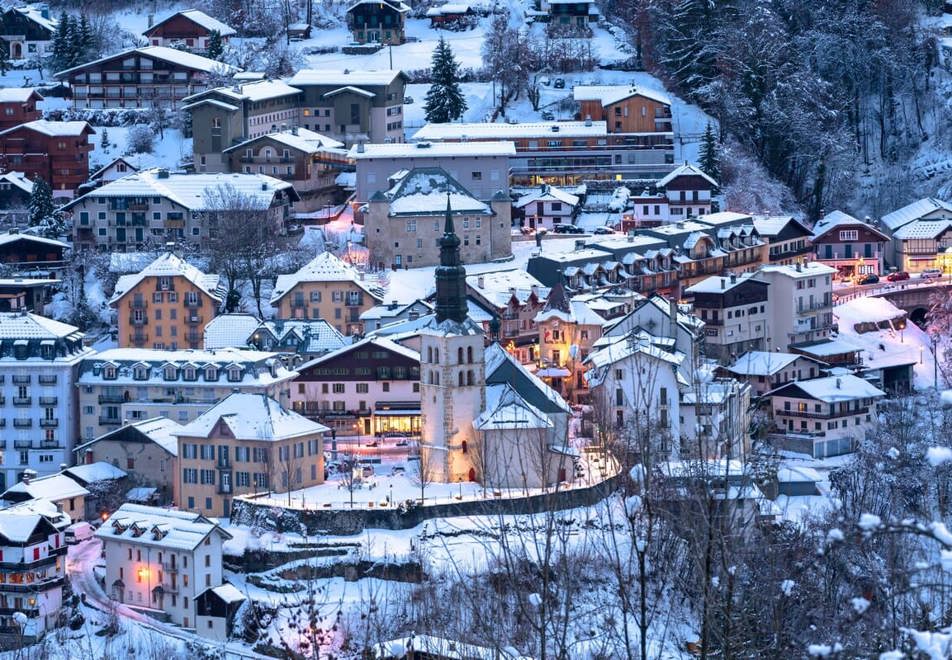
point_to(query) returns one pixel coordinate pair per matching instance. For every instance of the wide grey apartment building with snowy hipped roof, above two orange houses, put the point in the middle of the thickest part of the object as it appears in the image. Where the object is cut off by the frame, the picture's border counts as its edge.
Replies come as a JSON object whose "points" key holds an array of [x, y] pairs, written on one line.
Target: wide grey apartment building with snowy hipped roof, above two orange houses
{"points": [[151, 208]]}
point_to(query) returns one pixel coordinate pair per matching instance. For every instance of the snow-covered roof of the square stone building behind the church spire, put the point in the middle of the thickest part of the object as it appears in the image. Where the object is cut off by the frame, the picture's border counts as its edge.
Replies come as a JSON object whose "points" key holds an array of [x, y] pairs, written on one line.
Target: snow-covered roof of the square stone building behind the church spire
{"points": [[428, 190]]}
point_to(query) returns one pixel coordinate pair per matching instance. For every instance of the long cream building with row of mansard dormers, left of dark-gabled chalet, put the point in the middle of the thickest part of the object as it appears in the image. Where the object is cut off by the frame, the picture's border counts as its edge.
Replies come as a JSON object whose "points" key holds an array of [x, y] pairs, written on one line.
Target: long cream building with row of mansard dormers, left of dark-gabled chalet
{"points": [[123, 385]]}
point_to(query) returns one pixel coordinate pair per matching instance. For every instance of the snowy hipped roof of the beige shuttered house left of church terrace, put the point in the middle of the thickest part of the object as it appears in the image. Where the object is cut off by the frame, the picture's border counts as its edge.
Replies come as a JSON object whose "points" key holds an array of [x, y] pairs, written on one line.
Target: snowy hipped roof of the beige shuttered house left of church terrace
{"points": [[251, 417]]}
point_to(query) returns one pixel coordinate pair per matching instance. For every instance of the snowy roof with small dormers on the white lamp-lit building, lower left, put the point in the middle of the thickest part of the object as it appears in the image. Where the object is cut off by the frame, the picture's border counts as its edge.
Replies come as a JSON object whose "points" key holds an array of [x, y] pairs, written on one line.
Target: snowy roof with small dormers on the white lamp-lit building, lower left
{"points": [[154, 526]]}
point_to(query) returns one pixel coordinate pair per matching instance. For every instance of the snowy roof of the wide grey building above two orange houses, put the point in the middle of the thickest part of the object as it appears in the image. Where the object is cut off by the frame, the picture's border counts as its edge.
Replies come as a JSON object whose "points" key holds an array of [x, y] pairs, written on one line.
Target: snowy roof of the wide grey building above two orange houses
{"points": [[195, 192]]}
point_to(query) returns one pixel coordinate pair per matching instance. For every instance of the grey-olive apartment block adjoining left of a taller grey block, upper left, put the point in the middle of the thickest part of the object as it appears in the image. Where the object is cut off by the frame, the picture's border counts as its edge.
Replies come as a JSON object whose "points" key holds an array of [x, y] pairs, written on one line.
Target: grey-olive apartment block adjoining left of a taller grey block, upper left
{"points": [[226, 116]]}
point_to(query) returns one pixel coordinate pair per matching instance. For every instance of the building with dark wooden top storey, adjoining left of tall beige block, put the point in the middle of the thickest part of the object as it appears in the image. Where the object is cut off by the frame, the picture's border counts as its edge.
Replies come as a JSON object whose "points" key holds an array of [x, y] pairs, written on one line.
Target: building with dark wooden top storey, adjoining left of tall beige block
{"points": [[736, 314]]}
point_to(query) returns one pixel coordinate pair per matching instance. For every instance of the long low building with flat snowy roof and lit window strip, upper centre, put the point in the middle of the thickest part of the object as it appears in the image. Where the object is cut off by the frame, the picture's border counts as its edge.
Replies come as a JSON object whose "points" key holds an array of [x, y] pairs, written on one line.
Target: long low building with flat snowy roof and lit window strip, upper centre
{"points": [[566, 152]]}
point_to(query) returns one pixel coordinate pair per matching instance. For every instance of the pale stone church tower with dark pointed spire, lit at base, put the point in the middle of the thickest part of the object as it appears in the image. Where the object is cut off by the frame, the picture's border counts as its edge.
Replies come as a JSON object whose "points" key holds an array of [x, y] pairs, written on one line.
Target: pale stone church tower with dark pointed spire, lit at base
{"points": [[452, 372]]}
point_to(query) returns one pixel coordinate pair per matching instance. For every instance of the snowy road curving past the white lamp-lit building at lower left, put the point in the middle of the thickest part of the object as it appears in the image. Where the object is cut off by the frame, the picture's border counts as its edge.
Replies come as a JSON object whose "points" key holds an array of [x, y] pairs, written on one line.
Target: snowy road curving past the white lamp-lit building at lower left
{"points": [[80, 566]]}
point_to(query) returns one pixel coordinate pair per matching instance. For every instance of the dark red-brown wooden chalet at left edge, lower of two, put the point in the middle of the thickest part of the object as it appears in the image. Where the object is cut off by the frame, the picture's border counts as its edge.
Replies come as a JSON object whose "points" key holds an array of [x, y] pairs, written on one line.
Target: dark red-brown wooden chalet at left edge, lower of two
{"points": [[55, 151]]}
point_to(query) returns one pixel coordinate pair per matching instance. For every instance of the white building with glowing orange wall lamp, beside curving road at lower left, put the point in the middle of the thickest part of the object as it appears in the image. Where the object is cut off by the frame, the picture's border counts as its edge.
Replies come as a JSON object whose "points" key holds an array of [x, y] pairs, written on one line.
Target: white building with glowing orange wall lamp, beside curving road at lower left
{"points": [[161, 559]]}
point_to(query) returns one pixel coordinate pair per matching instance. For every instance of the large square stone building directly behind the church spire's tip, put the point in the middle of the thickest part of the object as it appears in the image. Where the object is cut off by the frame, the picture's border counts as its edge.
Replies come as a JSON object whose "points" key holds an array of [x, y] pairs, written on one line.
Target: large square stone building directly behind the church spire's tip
{"points": [[402, 226]]}
